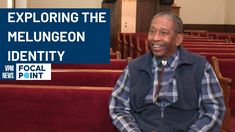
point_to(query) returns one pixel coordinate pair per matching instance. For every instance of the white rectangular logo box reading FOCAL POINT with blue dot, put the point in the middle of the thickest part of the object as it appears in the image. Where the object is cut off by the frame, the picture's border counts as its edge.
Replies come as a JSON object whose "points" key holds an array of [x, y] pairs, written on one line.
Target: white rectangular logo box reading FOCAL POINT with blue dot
{"points": [[33, 71]]}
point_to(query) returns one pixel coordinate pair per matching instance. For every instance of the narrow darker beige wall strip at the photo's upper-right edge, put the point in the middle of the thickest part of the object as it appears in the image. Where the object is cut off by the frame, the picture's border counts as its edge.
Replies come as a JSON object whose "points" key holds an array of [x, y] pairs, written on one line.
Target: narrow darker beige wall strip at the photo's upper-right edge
{"points": [[230, 12]]}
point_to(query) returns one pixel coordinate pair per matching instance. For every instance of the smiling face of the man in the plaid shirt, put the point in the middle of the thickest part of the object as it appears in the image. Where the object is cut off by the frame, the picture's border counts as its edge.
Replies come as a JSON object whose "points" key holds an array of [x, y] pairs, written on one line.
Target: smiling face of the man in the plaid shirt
{"points": [[161, 38]]}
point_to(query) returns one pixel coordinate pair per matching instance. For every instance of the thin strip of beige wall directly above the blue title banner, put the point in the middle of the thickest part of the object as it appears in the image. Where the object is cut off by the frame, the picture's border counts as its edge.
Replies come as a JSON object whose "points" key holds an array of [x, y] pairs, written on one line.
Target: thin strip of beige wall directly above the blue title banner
{"points": [[64, 3]]}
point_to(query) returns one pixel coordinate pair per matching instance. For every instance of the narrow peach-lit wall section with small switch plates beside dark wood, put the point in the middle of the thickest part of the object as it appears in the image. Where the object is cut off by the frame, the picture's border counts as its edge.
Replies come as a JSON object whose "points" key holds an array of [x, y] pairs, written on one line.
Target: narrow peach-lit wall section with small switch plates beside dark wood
{"points": [[128, 22]]}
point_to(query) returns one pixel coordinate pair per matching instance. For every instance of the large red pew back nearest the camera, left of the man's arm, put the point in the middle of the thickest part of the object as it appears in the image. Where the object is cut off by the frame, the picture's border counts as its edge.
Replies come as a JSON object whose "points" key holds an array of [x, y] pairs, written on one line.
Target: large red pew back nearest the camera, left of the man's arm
{"points": [[37, 108]]}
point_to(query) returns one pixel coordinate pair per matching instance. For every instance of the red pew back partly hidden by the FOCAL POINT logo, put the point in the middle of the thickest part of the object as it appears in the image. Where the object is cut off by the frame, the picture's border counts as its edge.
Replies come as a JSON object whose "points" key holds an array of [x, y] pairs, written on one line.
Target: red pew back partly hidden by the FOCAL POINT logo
{"points": [[75, 77]]}
